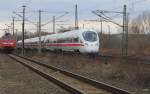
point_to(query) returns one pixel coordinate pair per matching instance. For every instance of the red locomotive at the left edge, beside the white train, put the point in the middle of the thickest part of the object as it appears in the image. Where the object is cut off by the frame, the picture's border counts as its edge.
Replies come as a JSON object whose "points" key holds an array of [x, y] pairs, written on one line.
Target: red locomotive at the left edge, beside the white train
{"points": [[7, 42]]}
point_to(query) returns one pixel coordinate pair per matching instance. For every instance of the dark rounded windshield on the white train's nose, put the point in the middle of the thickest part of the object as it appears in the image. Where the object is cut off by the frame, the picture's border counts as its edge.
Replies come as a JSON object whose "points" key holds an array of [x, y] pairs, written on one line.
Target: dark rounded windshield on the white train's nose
{"points": [[90, 36]]}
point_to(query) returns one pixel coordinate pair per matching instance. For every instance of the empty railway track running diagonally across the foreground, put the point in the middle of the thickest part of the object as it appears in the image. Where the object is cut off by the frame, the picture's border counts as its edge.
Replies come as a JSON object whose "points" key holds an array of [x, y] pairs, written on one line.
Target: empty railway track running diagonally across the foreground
{"points": [[76, 84]]}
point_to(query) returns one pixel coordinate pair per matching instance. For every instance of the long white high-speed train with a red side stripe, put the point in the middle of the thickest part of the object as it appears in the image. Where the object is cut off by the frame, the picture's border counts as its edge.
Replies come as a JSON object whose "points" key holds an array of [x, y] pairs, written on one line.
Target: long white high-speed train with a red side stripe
{"points": [[83, 41]]}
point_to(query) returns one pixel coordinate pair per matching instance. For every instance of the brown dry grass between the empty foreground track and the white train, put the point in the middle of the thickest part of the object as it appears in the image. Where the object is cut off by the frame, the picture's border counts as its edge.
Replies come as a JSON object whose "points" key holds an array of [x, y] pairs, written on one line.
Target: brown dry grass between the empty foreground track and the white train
{"points": [[133, 76]]}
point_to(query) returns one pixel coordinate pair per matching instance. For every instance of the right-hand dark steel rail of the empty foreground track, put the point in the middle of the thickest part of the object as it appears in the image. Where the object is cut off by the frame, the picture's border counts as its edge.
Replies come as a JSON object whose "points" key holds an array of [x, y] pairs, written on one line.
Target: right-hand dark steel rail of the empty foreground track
{"points": [[109, 88]]}
